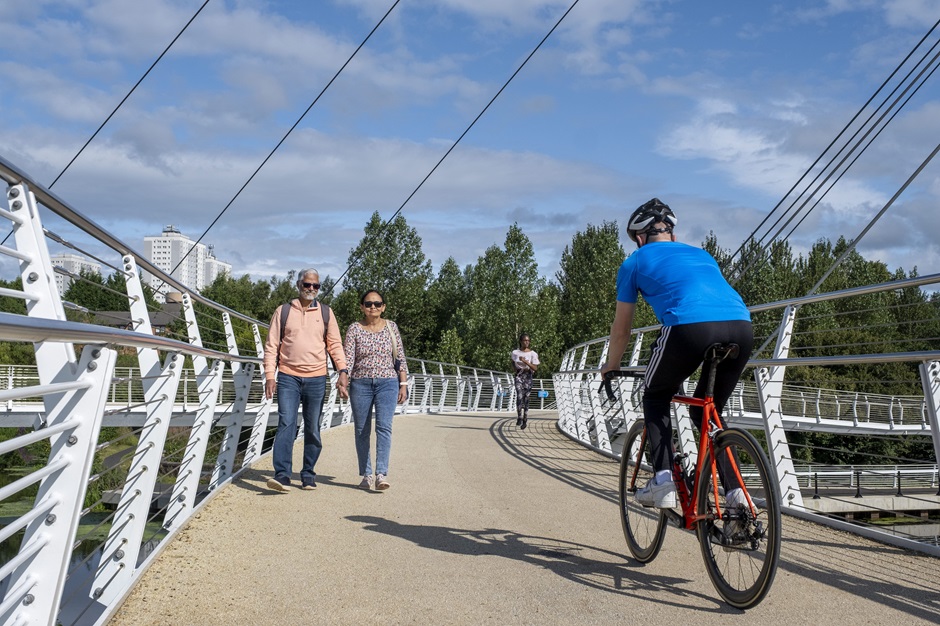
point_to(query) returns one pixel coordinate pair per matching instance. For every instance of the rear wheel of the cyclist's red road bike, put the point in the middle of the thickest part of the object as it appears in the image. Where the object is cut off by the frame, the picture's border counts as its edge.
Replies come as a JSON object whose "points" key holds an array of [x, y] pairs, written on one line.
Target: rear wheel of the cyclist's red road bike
{"points": [[741, 548]]}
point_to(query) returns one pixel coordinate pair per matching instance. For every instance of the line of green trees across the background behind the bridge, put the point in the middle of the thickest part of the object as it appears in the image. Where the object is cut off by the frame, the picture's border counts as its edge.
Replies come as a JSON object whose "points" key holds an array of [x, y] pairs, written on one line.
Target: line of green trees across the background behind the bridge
{"points": [[474, 315]]}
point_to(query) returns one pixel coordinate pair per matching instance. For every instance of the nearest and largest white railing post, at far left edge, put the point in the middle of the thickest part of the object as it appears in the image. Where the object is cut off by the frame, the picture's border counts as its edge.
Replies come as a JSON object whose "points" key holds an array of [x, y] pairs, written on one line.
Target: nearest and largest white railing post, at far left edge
{"points": [[34, 588]]}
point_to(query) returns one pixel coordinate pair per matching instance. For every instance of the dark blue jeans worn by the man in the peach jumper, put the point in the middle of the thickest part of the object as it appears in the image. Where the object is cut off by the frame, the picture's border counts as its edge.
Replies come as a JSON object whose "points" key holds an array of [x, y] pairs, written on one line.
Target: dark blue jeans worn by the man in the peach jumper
{"points": [[291, 392]]}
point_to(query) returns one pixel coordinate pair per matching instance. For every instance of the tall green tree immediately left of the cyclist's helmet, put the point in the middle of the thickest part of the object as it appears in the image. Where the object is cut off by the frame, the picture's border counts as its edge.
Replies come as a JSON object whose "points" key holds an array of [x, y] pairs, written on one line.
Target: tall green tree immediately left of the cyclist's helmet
{"points": [[587, 280]]}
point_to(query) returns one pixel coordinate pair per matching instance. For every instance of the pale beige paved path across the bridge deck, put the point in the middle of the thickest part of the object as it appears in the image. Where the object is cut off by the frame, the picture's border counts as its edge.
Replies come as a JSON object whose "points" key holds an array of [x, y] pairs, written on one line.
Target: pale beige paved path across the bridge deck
{"points": [[487, 524]]}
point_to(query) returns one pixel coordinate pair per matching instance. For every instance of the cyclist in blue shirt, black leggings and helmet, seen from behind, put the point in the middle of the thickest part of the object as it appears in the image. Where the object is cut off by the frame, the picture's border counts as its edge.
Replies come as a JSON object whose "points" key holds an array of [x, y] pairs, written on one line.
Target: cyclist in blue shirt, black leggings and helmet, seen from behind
{"points": [[697, 308]]}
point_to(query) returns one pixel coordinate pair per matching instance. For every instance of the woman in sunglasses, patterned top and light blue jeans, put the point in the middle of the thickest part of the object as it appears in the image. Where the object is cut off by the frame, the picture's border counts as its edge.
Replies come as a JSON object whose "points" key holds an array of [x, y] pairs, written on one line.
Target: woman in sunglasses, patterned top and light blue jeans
{"points": [[378, 379]]}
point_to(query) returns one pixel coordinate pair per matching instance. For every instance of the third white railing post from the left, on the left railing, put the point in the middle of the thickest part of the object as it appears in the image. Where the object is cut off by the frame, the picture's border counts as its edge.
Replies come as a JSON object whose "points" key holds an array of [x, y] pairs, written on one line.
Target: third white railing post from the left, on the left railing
{"points": [[209, 381]]}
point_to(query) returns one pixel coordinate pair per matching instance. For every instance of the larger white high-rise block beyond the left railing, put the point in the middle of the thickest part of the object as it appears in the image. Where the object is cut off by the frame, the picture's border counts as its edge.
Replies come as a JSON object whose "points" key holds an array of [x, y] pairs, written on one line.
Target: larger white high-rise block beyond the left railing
{"points": [[198, 266]]}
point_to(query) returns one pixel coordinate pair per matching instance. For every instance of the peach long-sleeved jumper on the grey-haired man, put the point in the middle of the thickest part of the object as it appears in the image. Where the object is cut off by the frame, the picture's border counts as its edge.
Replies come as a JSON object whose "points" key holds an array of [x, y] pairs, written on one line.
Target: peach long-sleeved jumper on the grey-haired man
{"points": [[303, 352]]}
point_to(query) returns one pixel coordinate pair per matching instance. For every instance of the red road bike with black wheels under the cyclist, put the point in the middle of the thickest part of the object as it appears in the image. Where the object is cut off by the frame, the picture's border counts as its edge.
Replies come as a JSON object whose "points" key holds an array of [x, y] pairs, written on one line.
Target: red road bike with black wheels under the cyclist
{"points": [[740, 545]]}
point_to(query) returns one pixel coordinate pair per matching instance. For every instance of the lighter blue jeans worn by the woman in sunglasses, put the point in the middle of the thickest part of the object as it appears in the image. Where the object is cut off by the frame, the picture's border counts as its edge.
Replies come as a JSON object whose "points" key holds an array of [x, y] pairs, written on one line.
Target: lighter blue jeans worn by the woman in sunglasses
{"points": [[364, 394]]}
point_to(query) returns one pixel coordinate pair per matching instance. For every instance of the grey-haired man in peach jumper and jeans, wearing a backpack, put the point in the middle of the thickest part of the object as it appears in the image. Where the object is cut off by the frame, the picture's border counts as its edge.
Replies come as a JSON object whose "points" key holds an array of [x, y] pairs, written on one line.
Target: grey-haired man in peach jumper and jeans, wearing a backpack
{"points": [[299, 339]]}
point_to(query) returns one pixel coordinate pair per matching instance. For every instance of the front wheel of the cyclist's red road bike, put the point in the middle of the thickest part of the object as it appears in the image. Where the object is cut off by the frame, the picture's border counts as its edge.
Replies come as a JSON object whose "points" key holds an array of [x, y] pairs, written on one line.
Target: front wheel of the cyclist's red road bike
{"points": [[644, 528]]}
